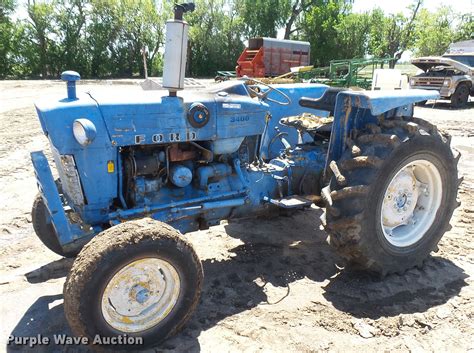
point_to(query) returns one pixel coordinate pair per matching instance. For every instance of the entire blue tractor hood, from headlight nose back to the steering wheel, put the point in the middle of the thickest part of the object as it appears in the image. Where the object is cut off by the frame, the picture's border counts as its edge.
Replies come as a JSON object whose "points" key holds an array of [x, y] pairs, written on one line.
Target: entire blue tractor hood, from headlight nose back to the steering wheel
{"points": [[152, 117]]}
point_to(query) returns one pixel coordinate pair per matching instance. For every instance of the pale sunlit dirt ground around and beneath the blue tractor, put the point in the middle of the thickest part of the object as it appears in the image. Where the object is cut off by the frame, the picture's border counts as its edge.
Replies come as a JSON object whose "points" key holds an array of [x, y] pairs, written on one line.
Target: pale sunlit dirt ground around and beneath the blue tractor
{"points": [[270, 285]]}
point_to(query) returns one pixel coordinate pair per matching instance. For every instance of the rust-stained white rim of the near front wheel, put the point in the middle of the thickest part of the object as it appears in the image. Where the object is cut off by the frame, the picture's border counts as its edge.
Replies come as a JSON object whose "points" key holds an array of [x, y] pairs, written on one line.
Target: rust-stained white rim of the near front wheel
{"points": [[140, 295]]}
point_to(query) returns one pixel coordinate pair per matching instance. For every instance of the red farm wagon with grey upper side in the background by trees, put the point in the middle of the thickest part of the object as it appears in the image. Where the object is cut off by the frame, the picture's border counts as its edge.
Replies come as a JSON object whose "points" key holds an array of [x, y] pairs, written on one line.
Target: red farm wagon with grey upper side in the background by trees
{"points": [[267, 57]]}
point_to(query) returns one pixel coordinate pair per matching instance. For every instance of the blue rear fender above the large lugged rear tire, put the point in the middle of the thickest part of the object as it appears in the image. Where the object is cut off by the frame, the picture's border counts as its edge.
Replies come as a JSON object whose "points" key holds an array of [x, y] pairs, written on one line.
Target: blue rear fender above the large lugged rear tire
{"points": [[354, 109]]}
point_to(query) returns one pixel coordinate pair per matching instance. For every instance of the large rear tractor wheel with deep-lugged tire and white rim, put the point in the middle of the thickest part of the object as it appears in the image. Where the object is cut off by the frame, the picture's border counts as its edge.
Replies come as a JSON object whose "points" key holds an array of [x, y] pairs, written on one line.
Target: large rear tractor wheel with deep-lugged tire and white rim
{"points": [[394, 197]]}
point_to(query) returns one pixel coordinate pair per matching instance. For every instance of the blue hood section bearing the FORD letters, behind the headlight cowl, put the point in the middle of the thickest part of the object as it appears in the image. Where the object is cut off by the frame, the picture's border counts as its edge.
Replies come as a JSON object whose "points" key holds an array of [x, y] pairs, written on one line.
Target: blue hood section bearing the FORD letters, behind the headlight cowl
{"points": [[151, 119]]}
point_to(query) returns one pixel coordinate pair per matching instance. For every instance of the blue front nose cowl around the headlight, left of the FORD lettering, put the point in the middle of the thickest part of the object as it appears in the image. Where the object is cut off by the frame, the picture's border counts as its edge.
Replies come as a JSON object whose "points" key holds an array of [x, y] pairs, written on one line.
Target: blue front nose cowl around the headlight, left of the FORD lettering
{"points": [[90, 160]]}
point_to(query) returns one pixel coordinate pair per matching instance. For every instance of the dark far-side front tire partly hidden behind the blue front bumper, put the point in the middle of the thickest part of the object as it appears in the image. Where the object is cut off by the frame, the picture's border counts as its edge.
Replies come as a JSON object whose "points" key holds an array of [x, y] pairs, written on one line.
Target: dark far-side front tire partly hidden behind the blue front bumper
{"points": [[44, 229]]}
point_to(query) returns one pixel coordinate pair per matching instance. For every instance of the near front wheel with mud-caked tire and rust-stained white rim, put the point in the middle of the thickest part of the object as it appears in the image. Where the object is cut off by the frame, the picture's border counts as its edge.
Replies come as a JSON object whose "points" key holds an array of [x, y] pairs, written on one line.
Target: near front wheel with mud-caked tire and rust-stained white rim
{"points": [[140, 279]]}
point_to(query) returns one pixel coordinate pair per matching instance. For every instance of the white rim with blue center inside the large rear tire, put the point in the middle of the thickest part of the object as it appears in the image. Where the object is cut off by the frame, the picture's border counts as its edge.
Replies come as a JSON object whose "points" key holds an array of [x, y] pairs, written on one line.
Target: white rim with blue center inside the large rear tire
{"points": [[408, 208]]}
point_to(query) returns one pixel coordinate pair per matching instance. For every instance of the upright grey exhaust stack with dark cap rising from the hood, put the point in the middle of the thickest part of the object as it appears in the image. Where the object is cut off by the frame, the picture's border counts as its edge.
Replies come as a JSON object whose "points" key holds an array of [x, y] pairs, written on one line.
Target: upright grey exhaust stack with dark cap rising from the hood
{"points": [[176, 46]]}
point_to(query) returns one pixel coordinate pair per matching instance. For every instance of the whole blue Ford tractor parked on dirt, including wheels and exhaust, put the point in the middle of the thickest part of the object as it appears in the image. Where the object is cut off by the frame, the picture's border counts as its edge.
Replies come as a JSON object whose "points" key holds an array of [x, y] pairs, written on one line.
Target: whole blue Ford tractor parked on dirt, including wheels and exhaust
{"points": [[137, 171]]}
